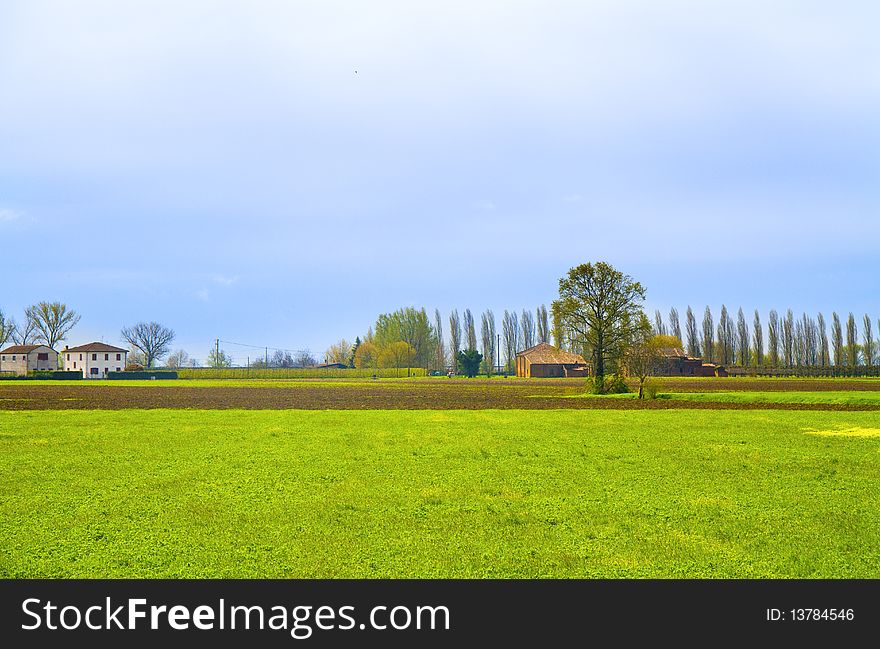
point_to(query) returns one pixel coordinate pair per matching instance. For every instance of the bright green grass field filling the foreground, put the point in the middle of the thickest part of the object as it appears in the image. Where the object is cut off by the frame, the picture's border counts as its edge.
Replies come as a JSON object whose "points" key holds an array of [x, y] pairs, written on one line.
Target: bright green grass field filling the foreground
{"points": [[488, 493]]}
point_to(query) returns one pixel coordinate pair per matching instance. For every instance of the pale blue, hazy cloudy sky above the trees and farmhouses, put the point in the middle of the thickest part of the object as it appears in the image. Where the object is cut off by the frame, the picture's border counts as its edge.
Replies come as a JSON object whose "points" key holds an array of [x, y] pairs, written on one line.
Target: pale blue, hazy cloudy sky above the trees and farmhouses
{"points": [[281, 172]]}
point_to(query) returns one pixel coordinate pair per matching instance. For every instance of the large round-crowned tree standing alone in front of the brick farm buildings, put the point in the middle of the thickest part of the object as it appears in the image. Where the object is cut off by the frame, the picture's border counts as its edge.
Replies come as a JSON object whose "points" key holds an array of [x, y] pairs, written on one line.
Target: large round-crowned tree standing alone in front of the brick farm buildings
{"points": [[602, 308]]}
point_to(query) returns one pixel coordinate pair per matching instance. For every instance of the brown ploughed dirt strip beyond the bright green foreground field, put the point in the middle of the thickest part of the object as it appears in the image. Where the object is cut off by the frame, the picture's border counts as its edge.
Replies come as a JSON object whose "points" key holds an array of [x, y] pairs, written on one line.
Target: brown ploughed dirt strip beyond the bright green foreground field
{"points": [[414, 395]]}
